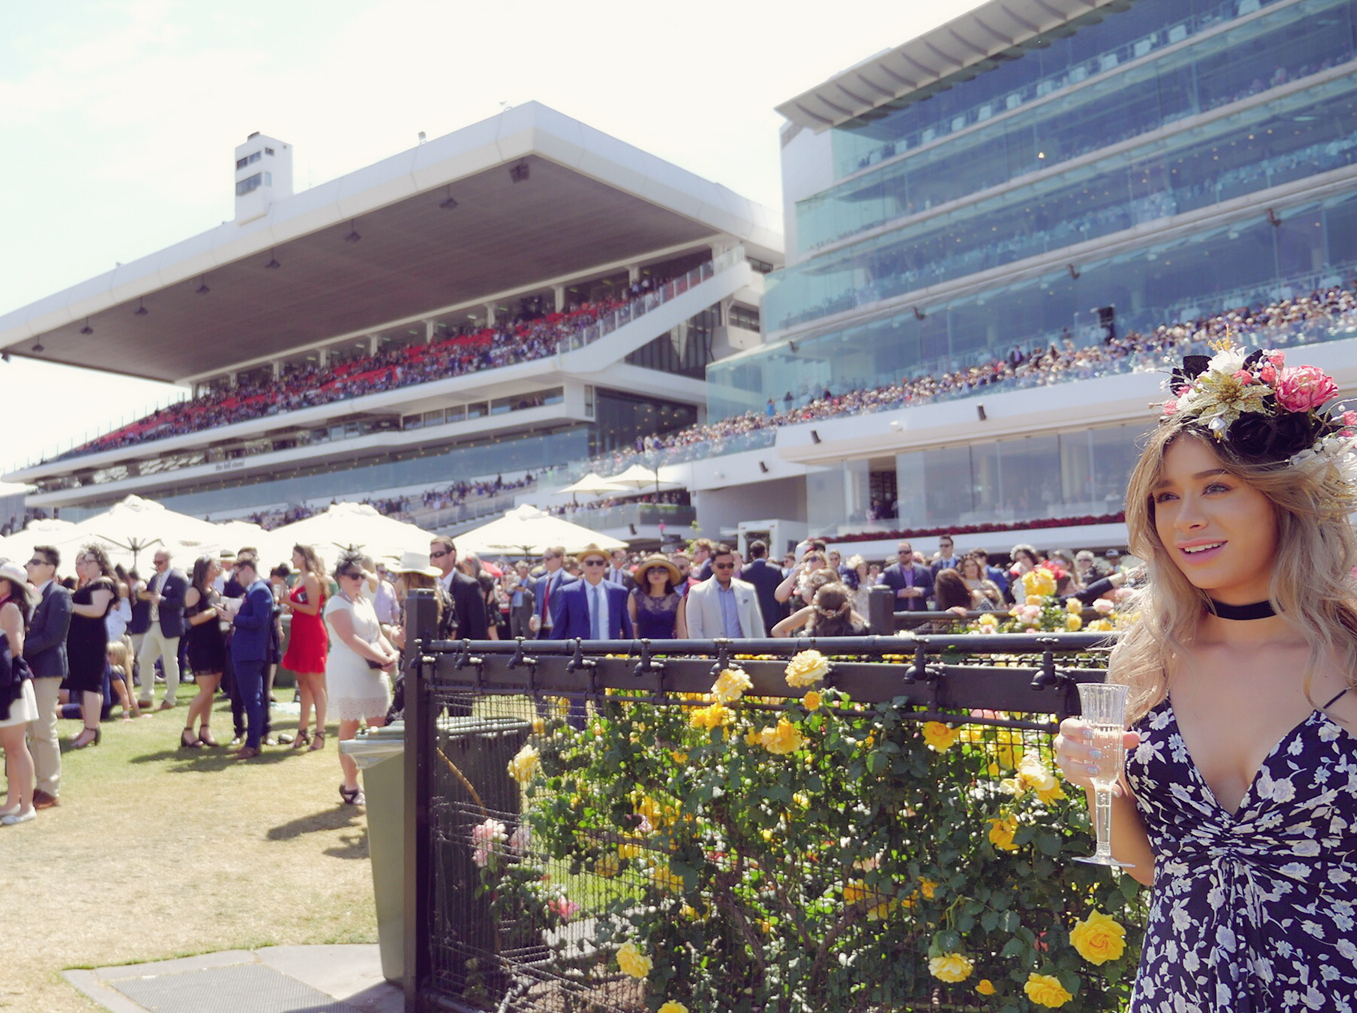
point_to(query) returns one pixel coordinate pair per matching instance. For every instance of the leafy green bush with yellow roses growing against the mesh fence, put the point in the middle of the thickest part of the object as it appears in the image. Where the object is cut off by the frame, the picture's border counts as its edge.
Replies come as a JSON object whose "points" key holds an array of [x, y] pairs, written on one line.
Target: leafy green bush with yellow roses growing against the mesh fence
{"points": [[782, 856]]}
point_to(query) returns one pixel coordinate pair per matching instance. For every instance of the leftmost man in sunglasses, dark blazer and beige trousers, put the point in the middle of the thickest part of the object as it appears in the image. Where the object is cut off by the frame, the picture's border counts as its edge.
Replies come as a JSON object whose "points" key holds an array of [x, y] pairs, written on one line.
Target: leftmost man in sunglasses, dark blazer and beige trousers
{"points": [[45, 651]]}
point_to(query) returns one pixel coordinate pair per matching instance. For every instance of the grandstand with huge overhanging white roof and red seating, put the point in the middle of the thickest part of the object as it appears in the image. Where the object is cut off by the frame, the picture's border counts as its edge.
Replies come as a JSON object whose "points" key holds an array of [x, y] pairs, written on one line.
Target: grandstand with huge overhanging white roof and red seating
{"points": [[501, 301]]}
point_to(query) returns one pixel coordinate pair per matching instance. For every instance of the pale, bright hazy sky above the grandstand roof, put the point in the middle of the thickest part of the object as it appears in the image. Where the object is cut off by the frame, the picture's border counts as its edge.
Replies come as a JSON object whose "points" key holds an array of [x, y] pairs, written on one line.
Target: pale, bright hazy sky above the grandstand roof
{"points": [[120, 117]]}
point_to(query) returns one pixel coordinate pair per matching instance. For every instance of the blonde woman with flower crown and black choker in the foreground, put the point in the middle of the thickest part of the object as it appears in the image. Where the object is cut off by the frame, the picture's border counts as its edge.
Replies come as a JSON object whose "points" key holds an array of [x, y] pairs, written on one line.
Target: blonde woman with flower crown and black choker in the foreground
{"points": [[1238, 799]]}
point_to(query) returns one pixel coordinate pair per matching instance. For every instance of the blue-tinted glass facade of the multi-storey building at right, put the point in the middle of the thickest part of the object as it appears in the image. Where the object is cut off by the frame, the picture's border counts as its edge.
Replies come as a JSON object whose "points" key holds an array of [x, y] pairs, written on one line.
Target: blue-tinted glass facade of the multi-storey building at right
{"points": [[1168, 161]]}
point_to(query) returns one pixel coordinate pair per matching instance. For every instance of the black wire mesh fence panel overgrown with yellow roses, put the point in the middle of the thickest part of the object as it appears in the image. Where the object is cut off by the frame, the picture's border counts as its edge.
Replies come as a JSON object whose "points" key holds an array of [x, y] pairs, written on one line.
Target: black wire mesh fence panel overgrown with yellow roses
{"points": [[611, 843]]}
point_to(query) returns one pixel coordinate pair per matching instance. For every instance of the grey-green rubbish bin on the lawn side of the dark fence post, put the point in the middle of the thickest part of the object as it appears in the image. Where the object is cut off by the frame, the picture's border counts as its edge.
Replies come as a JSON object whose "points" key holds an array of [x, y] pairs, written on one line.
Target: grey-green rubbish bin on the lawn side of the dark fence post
{"points": [[381, 757]]}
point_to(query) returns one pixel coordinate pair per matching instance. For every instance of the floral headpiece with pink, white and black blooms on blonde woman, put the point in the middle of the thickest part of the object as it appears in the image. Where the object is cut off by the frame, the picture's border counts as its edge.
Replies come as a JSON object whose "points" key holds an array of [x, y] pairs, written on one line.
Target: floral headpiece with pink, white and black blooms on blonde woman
{"points": [[1269, 413]]}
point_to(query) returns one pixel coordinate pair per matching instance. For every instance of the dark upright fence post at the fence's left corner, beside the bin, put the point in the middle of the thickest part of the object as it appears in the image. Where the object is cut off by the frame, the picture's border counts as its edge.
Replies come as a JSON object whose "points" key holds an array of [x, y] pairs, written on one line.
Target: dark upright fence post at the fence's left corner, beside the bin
{"points": [[421, 612]]}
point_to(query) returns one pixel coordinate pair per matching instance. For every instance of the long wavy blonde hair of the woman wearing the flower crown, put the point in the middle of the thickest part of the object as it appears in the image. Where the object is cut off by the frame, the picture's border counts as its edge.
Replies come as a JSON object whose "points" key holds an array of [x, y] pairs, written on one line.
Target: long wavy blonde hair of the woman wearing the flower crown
{"points": [[1312, 585]]}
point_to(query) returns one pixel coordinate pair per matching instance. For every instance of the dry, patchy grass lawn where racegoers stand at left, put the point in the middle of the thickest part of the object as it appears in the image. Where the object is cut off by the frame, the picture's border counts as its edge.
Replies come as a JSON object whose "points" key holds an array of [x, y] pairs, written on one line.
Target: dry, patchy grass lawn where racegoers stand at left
{"points": [[158, 852]]}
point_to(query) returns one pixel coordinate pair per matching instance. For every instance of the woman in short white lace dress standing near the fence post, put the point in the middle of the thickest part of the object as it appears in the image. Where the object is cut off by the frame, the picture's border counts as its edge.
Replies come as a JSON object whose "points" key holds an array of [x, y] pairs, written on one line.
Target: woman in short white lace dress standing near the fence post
{"points": [[359, 667]]}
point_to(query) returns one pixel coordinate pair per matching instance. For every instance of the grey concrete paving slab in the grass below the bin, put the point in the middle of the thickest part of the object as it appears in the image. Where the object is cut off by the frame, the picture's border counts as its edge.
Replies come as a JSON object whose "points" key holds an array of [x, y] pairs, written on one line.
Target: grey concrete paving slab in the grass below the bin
{"points": [[275, 980]]}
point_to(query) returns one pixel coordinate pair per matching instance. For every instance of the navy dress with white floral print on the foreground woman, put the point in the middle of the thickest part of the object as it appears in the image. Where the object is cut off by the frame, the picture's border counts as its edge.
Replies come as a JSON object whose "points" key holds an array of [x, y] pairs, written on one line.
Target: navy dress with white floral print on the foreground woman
{"points": [[1255, 910]]}
